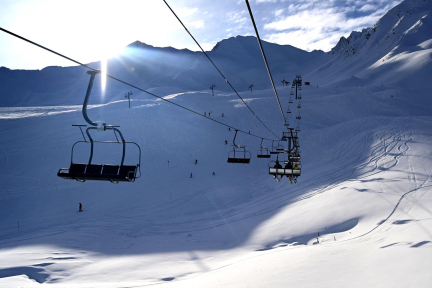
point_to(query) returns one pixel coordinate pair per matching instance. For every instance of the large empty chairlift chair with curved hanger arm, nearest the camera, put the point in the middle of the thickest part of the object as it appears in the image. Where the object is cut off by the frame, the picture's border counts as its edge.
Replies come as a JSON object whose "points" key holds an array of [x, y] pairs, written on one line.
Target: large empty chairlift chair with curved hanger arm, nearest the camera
{"points": [[101, 172]]}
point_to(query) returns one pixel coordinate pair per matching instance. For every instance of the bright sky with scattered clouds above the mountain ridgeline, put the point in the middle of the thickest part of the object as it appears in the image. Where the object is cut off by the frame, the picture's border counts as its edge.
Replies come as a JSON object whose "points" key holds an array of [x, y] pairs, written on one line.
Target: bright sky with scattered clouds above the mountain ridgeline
{"points": [[90, 30]]}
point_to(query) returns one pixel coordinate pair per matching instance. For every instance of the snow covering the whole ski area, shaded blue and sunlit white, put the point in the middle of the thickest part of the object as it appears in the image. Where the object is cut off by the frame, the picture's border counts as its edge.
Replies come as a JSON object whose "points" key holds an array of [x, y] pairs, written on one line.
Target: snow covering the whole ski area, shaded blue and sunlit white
{"points": [[365, 185]]}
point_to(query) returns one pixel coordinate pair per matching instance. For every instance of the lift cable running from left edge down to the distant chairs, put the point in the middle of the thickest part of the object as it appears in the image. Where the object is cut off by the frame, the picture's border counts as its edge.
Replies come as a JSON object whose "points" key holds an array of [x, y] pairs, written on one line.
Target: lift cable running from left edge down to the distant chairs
{"points": [[128, 84]]}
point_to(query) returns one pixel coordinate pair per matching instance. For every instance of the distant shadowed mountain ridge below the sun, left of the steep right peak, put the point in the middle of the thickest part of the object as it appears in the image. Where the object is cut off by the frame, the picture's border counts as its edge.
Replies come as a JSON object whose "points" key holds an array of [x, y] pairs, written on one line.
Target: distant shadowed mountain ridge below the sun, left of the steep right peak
{"points": [[150, 67]]}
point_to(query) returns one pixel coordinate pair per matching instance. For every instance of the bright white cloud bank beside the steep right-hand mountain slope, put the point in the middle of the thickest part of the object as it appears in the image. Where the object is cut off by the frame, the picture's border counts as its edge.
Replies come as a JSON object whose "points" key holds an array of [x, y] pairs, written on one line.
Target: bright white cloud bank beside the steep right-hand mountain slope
{"points": [[317, 24]]}
